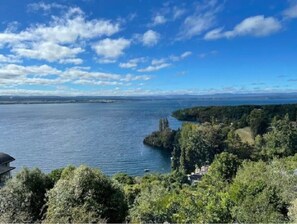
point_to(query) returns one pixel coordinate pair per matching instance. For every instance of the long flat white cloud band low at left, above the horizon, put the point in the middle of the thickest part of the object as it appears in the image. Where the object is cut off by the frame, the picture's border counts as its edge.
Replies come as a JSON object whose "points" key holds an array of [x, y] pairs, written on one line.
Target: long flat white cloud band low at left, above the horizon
{"points": [[15, 75]]}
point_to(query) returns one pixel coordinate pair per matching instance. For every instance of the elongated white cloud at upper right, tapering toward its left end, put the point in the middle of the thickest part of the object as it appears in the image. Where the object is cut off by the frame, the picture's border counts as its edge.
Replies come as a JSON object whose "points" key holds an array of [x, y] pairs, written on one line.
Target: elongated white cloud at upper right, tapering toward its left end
{"points": [[257, 26]]}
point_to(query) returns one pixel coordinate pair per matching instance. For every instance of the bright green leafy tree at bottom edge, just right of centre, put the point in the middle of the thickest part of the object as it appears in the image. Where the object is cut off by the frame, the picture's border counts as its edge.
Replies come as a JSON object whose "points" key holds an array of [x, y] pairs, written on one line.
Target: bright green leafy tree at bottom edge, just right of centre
{"points": [[209, 202]]}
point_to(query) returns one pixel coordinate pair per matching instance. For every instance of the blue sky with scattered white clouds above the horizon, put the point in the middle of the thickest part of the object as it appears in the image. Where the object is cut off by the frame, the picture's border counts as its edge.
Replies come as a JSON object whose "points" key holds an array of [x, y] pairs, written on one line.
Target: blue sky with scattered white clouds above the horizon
{"points": [[147, 47]]}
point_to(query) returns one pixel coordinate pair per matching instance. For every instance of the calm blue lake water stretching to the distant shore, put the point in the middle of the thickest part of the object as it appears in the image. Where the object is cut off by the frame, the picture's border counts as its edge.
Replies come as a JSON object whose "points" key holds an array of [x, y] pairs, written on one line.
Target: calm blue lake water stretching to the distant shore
{"points": [[107, 136]]}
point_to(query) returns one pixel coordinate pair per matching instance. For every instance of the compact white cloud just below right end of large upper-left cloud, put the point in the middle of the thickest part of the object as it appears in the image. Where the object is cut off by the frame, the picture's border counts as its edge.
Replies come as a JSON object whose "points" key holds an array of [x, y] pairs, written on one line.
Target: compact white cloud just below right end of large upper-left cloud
{"points": [[111, 48]]}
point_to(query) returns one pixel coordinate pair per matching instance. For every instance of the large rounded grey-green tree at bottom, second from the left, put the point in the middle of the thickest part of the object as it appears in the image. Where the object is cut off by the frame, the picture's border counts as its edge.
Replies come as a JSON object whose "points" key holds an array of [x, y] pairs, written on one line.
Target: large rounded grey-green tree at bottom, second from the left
{"points": [[85, 195]]}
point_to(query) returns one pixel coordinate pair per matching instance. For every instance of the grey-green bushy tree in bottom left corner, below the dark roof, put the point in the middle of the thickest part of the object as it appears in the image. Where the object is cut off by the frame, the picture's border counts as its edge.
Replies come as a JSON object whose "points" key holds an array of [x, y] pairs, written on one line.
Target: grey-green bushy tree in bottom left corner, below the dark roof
{"points": [[23, 197]]}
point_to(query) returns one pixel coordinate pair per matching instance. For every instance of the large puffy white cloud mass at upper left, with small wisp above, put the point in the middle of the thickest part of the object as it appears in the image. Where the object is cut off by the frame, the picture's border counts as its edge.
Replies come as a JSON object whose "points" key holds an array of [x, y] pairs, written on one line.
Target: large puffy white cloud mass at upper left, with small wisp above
{"points": [[61, 40]]}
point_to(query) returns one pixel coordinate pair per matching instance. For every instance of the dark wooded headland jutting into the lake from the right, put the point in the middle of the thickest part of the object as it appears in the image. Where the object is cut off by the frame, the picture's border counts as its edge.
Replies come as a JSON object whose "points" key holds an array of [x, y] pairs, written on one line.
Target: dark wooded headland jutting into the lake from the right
{"points": [[226, 114]]}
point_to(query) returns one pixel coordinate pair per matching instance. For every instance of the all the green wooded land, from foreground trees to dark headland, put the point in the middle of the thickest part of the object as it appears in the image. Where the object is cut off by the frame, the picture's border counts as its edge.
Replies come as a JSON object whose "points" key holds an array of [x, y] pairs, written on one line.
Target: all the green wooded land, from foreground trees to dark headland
{"points": [[251, 176]]}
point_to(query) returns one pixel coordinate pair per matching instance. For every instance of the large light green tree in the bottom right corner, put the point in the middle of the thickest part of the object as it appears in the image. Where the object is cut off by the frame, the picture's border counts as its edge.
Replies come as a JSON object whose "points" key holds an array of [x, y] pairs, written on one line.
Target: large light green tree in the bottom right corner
{"points": [[262, 192]]}
